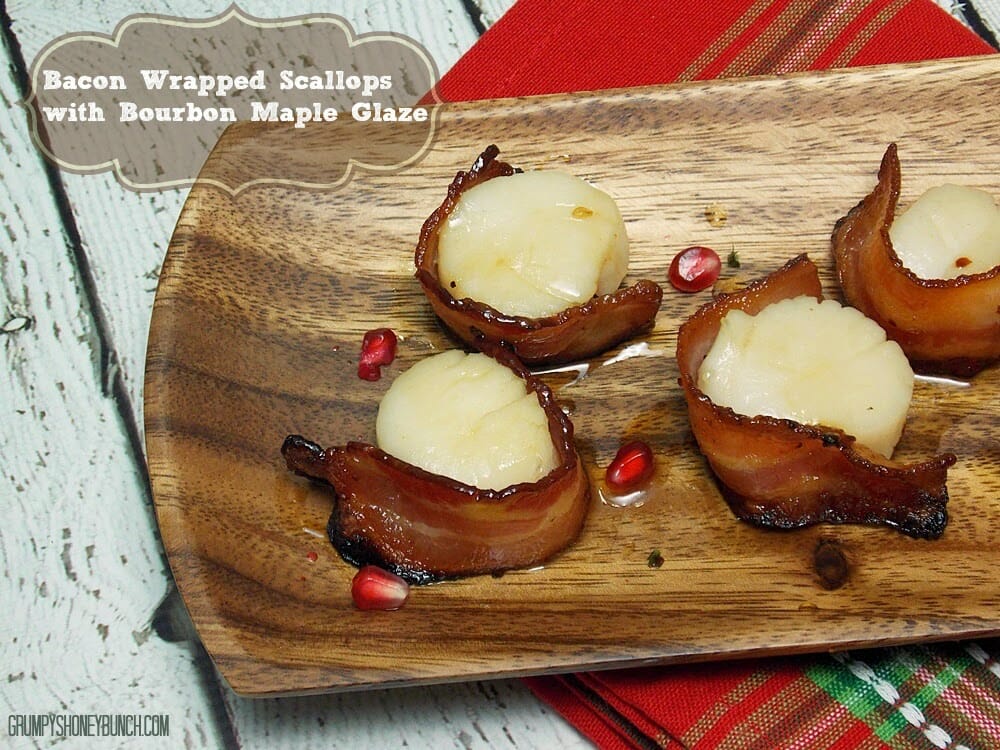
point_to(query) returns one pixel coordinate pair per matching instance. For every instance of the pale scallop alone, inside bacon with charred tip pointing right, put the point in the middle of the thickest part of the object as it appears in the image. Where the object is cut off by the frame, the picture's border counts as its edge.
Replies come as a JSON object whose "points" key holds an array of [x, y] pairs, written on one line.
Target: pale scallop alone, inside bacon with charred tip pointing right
{"points": [[815, 362]]}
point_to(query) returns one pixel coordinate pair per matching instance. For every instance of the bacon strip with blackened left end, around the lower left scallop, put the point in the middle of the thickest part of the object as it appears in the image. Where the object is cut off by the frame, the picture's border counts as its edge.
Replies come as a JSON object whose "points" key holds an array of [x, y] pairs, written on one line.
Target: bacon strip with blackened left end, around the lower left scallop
{"points": [[426, 527]]}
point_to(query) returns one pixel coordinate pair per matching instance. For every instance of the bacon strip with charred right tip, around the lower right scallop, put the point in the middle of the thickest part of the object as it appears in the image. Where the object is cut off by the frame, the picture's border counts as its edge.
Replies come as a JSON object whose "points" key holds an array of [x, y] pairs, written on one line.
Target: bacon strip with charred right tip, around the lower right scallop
{"points": [[782, 474]]}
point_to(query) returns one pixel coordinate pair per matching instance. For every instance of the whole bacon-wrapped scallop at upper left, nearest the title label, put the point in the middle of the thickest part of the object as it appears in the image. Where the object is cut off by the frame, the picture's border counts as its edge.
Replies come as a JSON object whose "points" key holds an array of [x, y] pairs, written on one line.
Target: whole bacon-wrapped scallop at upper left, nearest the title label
{"points": [[533, 259]]}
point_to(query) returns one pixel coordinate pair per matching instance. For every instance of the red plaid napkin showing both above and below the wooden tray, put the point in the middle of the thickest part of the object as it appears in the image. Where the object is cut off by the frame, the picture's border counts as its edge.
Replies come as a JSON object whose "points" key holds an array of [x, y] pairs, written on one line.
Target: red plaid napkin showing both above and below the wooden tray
{"points": [[945, 696]]}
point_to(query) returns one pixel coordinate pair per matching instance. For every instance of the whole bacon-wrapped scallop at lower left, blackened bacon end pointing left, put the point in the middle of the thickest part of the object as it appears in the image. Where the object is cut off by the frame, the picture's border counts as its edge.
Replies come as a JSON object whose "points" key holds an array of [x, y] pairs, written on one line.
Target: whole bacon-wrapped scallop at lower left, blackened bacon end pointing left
{"points": [[483, 476]]}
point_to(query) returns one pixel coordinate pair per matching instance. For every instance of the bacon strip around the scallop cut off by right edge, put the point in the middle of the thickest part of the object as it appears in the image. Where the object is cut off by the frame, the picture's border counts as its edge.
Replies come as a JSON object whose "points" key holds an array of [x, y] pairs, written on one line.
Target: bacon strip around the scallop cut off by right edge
{"points": [[943, 325]]}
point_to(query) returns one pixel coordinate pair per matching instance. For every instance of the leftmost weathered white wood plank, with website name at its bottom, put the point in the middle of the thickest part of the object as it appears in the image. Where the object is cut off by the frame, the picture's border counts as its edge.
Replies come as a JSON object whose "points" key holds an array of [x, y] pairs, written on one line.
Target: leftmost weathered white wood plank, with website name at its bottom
{"points": [[83, 570]]}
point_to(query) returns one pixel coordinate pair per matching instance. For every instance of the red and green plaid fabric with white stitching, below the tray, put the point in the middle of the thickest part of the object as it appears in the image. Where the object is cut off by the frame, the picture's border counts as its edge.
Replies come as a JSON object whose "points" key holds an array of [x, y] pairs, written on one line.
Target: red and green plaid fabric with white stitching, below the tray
{"points": [[913, 698]]}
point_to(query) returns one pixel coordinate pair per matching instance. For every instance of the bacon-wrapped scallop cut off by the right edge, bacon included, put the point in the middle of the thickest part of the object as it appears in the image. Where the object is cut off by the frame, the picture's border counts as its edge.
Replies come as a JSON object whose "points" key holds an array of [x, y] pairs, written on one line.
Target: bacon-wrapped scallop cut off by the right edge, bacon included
{"points": [[949, 321]]}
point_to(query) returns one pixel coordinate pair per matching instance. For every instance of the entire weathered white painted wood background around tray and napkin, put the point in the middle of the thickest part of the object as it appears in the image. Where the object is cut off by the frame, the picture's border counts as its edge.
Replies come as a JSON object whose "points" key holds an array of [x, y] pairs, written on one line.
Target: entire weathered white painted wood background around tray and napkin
{"points": [[83, 629]]}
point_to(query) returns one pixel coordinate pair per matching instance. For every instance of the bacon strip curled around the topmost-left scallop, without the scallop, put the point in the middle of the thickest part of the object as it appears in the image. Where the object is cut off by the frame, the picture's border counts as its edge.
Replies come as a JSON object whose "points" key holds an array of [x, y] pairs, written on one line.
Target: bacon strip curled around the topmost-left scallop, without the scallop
{"points": [[572, 334]]}
